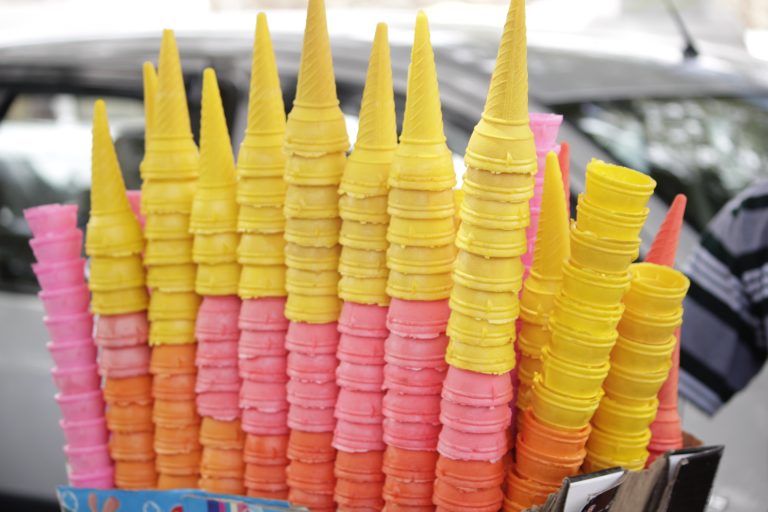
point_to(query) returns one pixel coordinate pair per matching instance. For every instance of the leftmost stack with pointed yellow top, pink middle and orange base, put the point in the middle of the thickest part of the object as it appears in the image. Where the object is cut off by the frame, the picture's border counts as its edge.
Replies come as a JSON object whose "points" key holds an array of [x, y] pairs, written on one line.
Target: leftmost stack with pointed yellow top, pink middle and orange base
{"points": [[114, 243]]}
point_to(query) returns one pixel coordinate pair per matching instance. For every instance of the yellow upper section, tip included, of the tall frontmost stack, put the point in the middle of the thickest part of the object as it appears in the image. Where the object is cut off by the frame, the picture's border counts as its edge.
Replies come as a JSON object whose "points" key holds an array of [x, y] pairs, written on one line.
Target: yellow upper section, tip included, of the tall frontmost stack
{"points": [[501, 163]]}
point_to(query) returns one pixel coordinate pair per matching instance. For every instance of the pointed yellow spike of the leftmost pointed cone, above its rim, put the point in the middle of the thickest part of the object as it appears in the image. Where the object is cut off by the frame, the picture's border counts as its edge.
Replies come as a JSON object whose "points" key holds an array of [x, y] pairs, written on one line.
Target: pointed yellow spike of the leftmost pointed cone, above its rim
{"points": [[107, 188]]}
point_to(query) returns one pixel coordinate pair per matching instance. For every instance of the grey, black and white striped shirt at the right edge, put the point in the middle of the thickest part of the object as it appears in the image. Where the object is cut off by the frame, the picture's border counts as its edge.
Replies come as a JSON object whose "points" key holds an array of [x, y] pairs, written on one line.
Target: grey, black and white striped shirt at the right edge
{"points": [[726, 311]]}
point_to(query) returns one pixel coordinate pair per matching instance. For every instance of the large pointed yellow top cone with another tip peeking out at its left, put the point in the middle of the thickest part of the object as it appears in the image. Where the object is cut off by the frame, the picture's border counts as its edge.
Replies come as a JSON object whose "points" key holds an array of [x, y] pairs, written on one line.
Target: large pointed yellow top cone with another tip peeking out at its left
{"points": [[171, 151]]}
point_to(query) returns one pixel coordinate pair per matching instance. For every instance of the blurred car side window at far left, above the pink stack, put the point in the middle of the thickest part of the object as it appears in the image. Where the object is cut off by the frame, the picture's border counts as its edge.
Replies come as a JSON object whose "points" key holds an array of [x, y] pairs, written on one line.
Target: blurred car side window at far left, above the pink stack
{"points": [[45, 156]]}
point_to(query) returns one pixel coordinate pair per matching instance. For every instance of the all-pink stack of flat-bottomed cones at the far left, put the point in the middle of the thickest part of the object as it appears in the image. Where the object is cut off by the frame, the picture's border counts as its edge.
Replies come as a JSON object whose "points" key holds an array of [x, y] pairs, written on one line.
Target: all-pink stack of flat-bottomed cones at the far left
{"points": [[57, 246]]}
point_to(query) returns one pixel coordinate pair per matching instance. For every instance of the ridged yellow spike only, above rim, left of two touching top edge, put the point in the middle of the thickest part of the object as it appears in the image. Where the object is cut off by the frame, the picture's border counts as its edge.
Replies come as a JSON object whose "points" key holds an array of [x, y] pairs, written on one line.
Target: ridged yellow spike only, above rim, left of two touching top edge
{"points": [[317, 84]]}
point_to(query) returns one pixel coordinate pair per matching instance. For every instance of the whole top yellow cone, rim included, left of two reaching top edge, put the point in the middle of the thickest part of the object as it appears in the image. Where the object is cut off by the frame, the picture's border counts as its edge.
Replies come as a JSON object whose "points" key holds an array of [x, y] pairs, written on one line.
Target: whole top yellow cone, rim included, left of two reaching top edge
{"points": [[316, 124]]}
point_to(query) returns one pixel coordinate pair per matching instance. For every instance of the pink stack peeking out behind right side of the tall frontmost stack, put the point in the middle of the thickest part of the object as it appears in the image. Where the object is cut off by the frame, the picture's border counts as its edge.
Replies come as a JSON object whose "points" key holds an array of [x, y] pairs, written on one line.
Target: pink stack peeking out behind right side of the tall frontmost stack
{"points": [[544, 128]]}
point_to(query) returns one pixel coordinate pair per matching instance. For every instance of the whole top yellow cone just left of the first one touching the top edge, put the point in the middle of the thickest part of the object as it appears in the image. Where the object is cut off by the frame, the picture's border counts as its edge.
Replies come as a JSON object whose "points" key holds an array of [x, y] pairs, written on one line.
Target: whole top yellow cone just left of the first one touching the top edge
{"points": [[261, 152]]}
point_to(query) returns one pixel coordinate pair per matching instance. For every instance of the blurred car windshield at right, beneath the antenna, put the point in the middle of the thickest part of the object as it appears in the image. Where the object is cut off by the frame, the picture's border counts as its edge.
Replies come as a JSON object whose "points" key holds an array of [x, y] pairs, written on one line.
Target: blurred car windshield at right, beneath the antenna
{"points": [[707, 148]]}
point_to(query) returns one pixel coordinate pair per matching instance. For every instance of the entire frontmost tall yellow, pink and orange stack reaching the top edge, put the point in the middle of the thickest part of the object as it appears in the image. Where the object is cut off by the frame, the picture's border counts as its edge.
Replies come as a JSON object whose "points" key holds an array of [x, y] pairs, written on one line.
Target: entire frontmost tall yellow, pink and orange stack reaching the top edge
{"points": [[488, 275]]}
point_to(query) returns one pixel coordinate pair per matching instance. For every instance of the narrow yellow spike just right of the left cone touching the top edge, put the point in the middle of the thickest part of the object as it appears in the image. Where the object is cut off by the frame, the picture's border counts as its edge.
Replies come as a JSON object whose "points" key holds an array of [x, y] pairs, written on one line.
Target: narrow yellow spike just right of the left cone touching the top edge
{"points": [[378, 126]]}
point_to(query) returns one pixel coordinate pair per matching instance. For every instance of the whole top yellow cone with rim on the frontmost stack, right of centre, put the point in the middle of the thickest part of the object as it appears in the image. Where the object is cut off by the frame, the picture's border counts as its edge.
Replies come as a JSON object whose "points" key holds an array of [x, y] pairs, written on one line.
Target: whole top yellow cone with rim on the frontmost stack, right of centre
{"points": [[502, 141]]}
